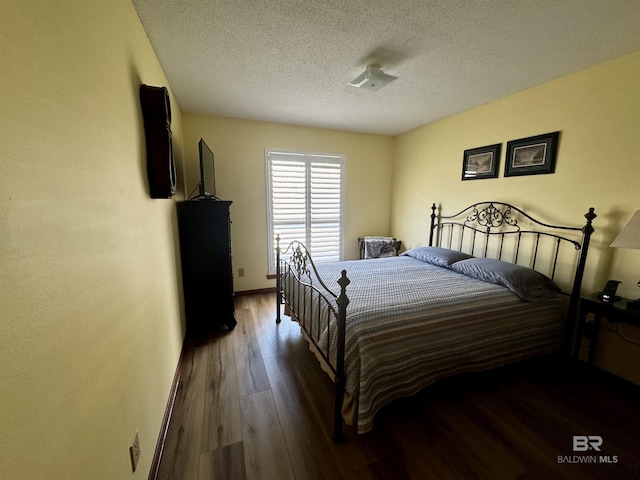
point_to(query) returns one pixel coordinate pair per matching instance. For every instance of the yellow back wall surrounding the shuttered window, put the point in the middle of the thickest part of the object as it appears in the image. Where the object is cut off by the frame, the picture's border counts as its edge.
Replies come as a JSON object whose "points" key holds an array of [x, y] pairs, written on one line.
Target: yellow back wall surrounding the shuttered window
{"points": [[239, 148]]}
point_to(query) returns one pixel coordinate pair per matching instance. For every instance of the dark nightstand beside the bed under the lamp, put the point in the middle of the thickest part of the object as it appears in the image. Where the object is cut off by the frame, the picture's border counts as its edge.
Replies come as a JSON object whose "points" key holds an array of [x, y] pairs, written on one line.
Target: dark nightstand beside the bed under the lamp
{"points": [[615, 312]]}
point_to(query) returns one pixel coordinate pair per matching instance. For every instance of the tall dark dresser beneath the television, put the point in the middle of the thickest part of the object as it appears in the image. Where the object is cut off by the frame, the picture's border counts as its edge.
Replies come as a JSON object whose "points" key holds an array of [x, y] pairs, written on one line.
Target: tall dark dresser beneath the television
{"points": [[205, 243]]}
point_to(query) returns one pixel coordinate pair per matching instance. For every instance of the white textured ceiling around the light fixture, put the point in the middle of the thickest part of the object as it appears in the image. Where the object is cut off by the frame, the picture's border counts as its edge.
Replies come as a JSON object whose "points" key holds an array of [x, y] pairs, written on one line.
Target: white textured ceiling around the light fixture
{"points": [[289, 61]]}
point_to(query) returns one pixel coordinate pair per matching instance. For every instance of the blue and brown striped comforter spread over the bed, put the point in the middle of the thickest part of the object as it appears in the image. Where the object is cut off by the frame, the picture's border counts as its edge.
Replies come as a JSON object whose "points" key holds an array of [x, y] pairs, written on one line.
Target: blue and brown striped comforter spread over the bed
{"points": [[410, 323]]}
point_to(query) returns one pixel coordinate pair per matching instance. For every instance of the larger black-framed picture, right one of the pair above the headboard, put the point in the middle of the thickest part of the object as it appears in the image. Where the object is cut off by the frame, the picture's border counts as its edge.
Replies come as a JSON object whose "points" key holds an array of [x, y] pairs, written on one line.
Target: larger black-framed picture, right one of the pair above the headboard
{"points": [[531, 156]]}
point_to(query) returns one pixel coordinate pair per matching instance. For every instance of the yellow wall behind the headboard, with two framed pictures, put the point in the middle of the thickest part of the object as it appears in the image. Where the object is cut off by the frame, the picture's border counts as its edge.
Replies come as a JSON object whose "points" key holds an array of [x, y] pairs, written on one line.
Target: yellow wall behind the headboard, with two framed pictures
{"points": [[597, 112]]}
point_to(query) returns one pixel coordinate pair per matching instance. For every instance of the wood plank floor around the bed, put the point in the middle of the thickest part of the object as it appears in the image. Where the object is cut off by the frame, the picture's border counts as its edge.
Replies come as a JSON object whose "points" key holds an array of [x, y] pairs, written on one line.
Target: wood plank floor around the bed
{"points": [[253, 403]]}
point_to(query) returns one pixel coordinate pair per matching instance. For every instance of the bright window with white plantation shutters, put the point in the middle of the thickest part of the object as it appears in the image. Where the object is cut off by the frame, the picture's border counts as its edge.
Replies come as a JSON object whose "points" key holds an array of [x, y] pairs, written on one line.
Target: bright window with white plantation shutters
{"points": [[305, 202]]}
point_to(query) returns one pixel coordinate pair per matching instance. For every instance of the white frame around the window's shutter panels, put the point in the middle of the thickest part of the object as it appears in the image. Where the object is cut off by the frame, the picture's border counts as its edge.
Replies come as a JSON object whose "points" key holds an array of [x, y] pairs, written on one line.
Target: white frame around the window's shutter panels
{"points": [[334, 158]]}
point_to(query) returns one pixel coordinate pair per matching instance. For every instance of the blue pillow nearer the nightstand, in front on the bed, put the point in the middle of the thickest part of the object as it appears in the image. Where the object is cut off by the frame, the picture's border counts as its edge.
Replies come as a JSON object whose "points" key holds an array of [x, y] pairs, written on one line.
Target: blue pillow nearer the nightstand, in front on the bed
{"points": [[524, 282]]}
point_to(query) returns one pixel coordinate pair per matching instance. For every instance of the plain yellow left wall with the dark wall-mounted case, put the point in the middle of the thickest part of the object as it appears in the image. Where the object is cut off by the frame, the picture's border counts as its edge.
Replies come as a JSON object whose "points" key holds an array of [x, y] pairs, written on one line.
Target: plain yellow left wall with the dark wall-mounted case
{"points": [[90, 296]]}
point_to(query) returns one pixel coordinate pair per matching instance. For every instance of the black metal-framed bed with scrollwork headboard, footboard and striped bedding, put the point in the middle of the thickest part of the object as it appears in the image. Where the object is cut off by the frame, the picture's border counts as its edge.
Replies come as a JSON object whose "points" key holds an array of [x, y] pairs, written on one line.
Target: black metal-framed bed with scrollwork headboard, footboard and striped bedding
{"points": [[492, 286]]}
